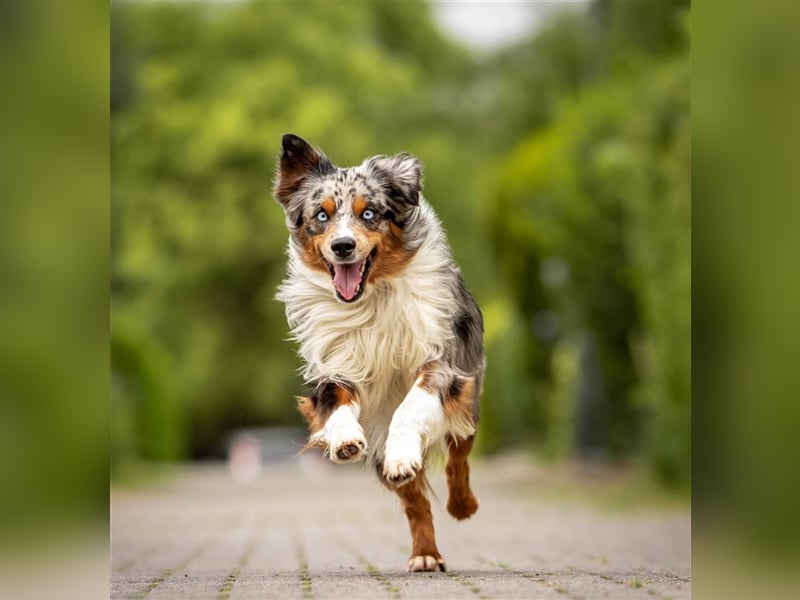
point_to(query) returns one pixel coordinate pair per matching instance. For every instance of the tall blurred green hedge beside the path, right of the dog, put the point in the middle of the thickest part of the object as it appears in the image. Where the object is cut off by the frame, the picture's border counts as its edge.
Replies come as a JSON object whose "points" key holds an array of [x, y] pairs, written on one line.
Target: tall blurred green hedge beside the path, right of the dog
{"points": [[599, 255]]}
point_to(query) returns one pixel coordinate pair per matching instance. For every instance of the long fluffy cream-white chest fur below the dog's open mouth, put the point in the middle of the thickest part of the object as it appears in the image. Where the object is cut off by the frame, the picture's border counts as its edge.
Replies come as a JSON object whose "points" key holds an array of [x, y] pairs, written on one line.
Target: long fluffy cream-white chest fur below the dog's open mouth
{"points": [[377, 343]]}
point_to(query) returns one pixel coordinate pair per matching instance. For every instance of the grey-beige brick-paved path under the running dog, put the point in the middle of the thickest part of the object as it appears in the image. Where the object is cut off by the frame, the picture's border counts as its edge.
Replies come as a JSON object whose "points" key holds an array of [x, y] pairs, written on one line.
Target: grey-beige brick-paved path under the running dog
{"points": [[306, 529]]}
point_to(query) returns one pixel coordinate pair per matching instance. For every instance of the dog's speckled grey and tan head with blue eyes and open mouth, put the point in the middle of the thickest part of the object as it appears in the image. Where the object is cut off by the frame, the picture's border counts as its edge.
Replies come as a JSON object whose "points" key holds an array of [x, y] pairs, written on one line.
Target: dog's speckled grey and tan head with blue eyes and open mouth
{"points": [[349, 223]]}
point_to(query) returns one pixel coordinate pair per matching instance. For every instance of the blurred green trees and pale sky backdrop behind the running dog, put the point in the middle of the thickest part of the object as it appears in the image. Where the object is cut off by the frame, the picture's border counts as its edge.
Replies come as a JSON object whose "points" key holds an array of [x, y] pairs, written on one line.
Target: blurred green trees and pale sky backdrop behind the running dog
{"points": [[556, 143]]}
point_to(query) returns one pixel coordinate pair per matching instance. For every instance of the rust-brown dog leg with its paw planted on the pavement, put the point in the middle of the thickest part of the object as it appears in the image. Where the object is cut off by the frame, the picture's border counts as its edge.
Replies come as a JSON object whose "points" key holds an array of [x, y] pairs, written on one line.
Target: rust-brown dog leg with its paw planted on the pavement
{"points": [[424, 553]]}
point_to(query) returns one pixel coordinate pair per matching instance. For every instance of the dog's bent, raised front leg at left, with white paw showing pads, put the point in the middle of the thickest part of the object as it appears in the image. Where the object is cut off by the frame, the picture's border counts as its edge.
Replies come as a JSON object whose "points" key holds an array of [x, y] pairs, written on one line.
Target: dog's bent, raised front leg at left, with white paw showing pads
{"points": [[332, 415]]}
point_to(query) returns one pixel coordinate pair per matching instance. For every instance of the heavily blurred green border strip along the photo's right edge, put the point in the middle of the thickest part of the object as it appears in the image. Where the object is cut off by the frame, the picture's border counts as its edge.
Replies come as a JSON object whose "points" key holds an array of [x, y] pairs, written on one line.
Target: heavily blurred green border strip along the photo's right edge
{"points": [[746, 288]]}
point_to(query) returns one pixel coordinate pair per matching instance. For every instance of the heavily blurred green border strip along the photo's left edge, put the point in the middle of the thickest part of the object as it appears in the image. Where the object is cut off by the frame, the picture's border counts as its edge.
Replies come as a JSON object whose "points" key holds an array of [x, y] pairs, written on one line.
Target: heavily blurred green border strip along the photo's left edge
{"points": [[54, 260]]}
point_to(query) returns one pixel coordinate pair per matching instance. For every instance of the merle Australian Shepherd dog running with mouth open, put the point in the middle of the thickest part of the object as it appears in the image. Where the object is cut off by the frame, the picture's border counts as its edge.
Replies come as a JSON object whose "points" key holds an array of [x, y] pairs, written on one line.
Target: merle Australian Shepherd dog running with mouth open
{"points": [[391, 338]]}
